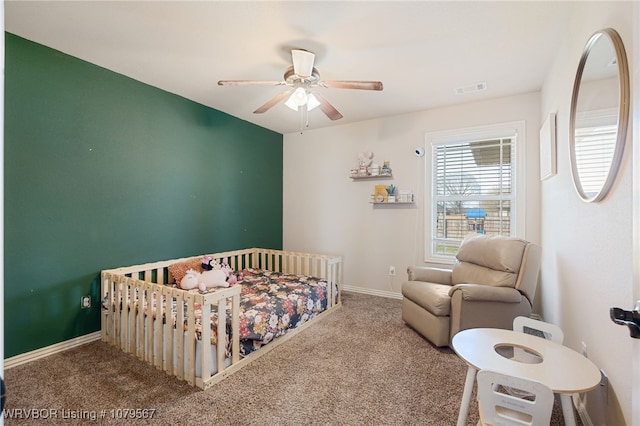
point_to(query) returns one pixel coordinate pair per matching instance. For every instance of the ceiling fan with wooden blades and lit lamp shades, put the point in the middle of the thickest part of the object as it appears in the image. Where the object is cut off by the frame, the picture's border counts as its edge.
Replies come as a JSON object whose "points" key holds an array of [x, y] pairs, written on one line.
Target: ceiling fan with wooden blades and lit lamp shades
{"points": [[302, 80]]}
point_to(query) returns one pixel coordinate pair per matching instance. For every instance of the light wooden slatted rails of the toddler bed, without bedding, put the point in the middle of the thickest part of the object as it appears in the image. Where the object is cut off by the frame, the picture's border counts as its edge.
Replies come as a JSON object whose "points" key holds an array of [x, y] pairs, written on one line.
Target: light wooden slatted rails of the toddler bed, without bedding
{"points": [[142, 312]]}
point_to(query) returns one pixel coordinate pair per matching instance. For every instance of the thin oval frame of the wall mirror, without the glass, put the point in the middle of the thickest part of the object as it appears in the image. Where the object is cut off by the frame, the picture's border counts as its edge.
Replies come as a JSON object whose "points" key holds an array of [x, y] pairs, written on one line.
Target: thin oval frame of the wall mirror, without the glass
{"points": [[622, 114]]}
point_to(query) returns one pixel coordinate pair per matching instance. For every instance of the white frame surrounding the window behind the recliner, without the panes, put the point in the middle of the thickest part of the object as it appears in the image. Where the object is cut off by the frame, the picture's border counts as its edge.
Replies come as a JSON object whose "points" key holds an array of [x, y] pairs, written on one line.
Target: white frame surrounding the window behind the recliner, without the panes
{"points": [[469, 134]]}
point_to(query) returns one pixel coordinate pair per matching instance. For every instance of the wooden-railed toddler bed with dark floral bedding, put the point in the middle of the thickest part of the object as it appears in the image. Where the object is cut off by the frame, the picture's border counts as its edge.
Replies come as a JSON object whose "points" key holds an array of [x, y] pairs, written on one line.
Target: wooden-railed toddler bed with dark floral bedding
{"points": [[202, 337]]}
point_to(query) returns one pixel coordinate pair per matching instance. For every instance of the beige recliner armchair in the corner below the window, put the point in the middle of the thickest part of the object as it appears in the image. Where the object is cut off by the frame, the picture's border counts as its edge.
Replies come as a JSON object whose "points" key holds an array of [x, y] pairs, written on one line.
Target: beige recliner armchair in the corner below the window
{"points": [[493, 280]]}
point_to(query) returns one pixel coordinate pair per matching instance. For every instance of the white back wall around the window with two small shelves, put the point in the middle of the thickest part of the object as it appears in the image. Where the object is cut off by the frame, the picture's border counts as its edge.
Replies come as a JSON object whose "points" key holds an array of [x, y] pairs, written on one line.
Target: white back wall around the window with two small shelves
{"points": [[326, 211]]}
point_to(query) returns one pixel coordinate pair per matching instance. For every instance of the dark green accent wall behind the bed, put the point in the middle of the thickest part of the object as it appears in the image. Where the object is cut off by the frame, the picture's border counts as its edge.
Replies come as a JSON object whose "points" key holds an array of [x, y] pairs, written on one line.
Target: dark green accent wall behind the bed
{"points": [[103, 171]]}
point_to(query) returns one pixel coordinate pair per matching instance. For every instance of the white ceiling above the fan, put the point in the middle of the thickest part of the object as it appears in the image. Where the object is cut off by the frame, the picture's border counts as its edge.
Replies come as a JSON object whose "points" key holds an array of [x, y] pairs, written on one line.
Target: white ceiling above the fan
{"points": [[420, 50]]}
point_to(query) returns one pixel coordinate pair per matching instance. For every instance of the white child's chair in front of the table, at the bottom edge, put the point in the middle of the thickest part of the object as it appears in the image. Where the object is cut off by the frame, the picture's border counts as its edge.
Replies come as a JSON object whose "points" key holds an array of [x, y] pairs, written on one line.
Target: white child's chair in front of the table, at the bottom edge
{"points": [[498, 408]]}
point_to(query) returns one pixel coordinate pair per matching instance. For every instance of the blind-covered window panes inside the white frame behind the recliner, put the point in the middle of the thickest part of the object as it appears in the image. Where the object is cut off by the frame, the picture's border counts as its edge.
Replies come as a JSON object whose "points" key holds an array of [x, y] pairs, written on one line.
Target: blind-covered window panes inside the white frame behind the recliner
{"points": [[473, 191]]}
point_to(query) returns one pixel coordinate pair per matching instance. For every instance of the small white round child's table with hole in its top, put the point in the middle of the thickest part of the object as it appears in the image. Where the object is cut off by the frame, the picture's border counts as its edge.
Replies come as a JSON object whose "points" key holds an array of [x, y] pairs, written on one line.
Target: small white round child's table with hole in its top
{"points": [[560, 368]]}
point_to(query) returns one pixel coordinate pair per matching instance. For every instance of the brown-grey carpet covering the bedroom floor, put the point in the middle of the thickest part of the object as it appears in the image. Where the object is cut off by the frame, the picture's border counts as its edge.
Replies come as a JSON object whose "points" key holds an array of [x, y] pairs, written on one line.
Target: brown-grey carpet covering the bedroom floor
{"points": [[360, 365]]}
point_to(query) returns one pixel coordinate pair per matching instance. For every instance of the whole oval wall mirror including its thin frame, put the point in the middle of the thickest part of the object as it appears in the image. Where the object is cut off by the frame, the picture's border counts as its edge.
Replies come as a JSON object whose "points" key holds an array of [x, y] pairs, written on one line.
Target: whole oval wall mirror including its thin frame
{"points": [[599, 115]]}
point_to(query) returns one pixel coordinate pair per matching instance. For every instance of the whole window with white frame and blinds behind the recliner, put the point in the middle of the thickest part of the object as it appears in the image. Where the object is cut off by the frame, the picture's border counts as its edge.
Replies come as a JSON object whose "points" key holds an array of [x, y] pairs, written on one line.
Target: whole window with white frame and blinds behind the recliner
{"points": [[472, 186]]}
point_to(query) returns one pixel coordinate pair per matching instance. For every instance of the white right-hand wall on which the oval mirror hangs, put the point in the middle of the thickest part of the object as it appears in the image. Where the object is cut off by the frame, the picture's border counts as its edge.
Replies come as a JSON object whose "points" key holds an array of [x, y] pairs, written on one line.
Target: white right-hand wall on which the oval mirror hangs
{"points": [[587, 247]]}
